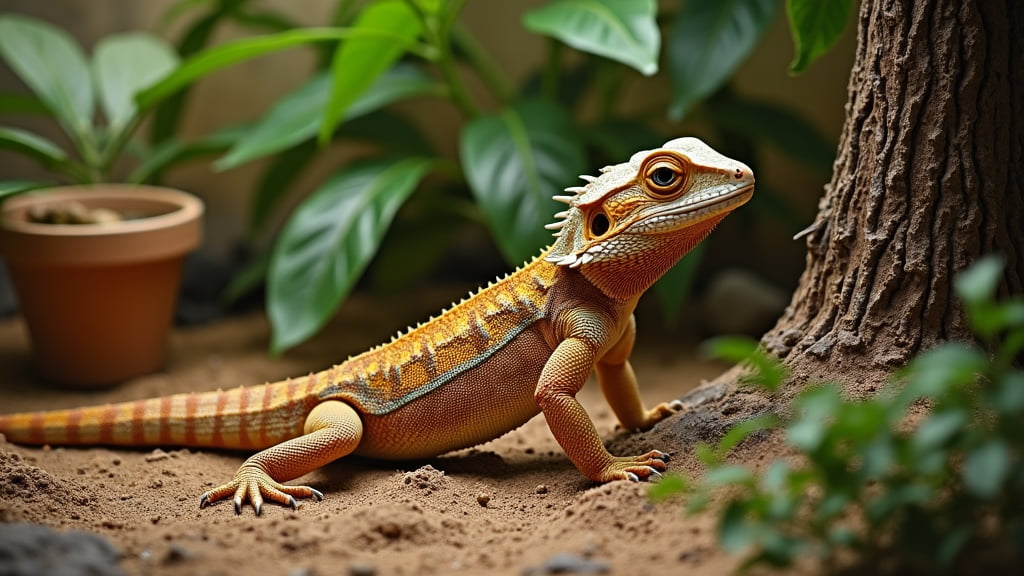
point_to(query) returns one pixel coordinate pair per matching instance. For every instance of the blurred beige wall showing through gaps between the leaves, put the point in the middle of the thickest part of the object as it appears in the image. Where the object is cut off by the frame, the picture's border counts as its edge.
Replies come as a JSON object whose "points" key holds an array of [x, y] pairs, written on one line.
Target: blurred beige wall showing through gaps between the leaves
{"points": [[246, 92]]}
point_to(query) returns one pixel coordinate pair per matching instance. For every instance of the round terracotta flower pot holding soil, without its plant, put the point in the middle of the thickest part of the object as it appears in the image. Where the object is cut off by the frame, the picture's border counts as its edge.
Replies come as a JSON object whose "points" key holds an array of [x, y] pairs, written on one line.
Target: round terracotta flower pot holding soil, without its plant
{"points": [[99, 300]]}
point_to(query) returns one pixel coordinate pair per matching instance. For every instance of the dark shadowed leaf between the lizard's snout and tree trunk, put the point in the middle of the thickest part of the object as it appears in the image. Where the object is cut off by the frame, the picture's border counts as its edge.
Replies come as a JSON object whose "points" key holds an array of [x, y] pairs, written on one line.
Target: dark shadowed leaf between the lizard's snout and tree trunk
{"points": [[776, 126]]}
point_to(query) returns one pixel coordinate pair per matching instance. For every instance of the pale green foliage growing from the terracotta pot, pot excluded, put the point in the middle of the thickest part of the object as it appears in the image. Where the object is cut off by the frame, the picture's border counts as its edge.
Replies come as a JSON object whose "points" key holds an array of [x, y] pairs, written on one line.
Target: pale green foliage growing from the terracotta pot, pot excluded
{"points": [[92, 100]]}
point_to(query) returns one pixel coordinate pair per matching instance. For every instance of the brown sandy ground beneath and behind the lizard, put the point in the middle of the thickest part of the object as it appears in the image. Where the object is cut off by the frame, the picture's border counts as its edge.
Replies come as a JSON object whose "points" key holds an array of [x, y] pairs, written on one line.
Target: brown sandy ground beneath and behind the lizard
{"points": [[516, 506]]}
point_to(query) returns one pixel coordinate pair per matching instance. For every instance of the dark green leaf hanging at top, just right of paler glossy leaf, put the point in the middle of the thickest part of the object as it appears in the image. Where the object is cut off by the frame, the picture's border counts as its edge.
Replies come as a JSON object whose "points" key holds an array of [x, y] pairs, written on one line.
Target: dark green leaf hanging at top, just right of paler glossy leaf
{"points": [[708, 42]]}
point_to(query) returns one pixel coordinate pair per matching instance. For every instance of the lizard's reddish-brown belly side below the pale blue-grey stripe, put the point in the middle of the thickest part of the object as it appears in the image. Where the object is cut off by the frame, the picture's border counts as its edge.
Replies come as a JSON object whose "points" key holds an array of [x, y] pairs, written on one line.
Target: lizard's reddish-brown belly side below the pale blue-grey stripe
{"points": [[480, 404]]}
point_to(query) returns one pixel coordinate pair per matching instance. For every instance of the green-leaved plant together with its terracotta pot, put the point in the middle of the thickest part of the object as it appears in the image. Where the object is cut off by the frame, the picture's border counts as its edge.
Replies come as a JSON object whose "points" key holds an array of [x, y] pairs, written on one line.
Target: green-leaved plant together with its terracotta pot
{"points": [[96, 265]]}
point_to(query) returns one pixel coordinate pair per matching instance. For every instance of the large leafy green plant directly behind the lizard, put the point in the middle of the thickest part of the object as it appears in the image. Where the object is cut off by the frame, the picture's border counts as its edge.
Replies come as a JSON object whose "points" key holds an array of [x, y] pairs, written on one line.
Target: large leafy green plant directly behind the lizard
{"points": [[514, 155]]}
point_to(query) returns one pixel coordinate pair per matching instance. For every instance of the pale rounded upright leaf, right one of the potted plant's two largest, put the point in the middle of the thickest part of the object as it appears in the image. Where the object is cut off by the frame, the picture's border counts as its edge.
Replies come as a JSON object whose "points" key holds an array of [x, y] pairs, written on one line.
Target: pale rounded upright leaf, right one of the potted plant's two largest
{"points": [[124, 65]]}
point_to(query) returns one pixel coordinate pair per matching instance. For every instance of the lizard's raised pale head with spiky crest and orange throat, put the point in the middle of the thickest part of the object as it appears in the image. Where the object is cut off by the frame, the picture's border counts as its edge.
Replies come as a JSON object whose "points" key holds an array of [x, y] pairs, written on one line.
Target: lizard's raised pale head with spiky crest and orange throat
{"points": [[629, 226]]}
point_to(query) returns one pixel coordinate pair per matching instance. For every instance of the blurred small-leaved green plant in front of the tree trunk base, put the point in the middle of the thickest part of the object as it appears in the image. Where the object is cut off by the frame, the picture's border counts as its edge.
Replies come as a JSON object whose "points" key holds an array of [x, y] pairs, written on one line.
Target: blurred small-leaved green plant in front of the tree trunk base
{"points": [[912, 479]]}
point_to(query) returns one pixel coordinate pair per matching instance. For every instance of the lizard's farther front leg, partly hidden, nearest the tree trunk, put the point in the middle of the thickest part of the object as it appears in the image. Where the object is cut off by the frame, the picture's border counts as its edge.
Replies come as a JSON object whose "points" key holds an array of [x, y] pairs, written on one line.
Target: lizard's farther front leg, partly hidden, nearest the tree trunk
{"points": [[619, 385]]}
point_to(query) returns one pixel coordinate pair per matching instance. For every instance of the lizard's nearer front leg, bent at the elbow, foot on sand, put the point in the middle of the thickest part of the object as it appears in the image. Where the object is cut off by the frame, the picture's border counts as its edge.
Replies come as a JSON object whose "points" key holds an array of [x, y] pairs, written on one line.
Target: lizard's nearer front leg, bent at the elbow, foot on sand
{"points": [[564, 376]]}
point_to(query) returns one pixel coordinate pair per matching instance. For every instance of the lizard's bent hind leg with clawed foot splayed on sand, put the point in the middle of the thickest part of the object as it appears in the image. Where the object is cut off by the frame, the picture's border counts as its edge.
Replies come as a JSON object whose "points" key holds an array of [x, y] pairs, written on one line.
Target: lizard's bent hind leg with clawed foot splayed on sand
{"points": [[332, 430]]}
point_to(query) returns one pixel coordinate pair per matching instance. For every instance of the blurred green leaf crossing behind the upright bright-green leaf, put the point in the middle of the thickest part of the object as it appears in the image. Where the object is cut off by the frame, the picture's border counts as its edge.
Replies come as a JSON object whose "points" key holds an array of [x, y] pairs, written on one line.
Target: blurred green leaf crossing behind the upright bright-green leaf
{"points": [[296, 117]]}
